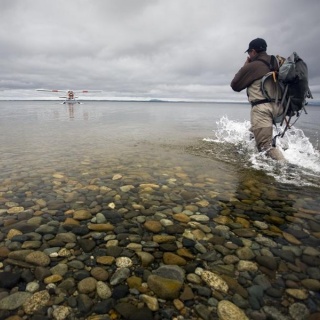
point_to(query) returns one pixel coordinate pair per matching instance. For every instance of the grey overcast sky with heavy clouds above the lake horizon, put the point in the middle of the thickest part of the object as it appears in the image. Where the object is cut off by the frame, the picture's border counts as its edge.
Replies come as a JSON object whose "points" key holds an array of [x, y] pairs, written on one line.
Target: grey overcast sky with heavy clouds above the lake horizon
{"points": [[149, 48]]}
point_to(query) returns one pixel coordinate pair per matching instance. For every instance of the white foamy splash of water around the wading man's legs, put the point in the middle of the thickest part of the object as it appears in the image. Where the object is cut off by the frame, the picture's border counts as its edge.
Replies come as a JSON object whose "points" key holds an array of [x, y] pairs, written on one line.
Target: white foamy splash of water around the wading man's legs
{"points": [[303, 160]]}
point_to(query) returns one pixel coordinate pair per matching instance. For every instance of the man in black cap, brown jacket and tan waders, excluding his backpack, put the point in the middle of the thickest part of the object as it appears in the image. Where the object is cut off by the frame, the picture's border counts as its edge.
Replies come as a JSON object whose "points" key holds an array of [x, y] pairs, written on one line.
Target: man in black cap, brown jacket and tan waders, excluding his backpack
{"points": [[258, 64]]}
